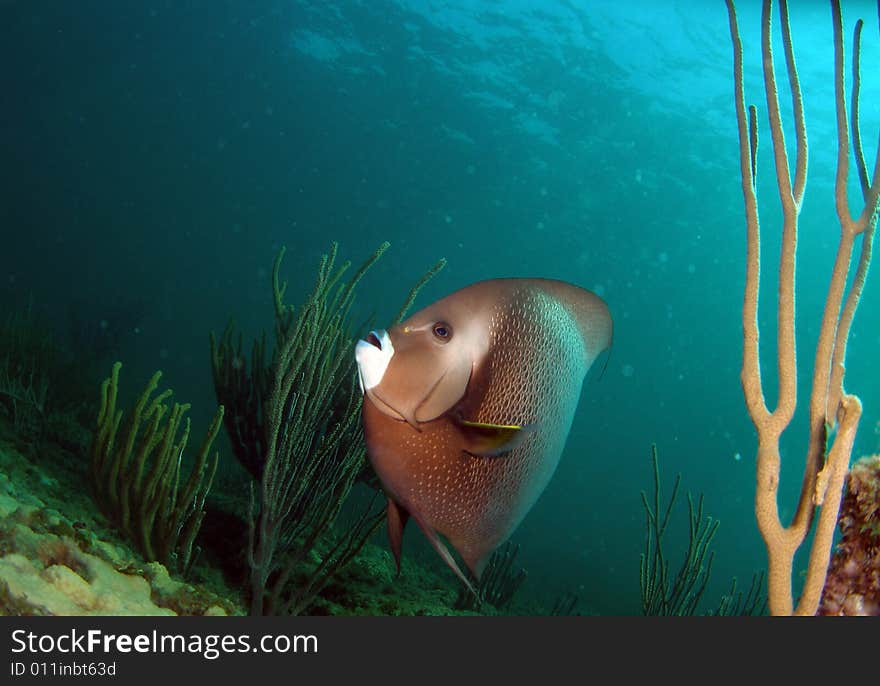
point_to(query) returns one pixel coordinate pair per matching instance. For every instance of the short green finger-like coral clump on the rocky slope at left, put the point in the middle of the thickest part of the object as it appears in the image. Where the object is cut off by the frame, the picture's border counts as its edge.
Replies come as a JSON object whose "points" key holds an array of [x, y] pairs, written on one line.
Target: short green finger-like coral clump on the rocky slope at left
{"points": [[137, 475]]}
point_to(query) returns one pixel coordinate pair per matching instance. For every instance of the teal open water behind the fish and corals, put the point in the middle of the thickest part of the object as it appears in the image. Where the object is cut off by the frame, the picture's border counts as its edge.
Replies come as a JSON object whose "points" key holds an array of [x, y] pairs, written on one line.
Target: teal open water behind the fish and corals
{"points": [[156, 156]]}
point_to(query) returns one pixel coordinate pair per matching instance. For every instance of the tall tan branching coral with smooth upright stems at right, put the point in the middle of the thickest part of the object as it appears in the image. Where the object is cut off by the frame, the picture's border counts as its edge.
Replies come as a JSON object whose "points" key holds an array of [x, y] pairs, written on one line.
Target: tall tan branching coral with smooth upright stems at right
{"points": [[834, 414]]}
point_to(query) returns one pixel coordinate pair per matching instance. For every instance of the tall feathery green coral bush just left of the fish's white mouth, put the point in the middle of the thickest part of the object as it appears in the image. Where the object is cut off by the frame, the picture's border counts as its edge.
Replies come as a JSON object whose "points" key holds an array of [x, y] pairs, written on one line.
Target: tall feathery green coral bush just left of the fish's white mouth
{"points": [[314, 444]]}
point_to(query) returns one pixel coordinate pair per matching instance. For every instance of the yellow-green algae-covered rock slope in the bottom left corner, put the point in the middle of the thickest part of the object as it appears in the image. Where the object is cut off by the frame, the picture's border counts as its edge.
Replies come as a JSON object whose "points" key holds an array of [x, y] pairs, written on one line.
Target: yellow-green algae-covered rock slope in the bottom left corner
{"points": [[58, 556]]}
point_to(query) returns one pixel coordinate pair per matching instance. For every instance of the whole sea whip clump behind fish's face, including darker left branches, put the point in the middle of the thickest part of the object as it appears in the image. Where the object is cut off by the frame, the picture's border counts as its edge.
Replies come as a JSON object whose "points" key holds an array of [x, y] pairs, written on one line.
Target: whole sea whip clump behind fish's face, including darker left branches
{"points": [[296, 427]]}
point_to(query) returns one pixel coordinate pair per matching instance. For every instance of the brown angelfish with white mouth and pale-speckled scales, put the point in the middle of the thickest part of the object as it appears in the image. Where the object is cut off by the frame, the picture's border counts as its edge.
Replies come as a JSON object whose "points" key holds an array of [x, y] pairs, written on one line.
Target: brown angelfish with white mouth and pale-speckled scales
{"points": [[469, 403]]}
